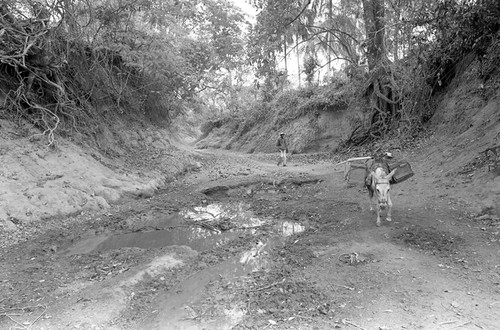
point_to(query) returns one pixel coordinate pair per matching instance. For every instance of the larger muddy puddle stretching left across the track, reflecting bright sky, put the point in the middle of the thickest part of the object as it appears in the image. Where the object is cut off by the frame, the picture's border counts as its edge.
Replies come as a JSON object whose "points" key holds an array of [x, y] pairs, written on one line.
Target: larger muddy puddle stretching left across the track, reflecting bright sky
{"points": [[201, 228]]}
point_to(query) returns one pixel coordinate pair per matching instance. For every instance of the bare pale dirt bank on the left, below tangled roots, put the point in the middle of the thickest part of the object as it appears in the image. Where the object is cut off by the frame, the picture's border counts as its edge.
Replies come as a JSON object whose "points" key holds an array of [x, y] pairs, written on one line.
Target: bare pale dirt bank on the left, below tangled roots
{"points": [[39, 182]]}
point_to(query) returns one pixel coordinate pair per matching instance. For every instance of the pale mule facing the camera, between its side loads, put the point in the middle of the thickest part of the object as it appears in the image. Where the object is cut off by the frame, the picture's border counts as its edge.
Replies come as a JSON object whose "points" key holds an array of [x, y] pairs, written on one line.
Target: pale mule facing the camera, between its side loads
{"points": [[378, 183]]}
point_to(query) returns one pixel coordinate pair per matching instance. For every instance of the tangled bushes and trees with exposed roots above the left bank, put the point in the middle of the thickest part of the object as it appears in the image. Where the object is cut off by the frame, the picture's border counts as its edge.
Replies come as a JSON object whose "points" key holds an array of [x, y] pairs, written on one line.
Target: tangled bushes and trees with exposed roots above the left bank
{"points": [[67, 63]]}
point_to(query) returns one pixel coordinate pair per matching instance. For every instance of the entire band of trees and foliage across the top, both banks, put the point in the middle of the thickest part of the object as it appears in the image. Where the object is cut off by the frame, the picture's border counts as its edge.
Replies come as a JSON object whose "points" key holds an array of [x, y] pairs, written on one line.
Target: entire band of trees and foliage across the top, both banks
{"points": [[66, 64]]}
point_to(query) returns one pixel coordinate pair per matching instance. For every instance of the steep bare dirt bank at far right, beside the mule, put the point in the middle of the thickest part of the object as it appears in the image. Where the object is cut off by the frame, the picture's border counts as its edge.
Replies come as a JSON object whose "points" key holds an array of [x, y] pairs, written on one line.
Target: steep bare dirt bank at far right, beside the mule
{"points": [[466, 123]]}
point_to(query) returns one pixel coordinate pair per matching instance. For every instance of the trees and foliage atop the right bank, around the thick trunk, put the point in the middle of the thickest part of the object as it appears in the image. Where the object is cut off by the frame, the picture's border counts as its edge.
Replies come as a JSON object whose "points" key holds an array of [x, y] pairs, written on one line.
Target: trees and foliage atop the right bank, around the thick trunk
{"points": [[396, 53]]}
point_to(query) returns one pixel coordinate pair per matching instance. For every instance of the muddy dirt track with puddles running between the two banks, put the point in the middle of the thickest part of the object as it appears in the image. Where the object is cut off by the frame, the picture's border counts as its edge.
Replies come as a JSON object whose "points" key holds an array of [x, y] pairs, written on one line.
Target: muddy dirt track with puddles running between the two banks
{"points": [[243, 244]]}
